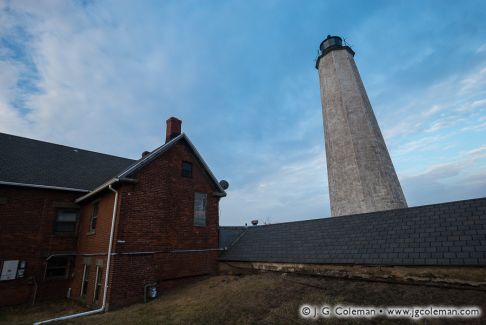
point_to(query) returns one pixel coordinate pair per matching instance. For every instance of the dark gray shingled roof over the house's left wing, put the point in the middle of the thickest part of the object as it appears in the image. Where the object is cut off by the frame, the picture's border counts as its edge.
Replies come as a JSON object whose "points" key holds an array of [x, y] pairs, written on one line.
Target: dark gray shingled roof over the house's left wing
{"points": [[29, 161]]}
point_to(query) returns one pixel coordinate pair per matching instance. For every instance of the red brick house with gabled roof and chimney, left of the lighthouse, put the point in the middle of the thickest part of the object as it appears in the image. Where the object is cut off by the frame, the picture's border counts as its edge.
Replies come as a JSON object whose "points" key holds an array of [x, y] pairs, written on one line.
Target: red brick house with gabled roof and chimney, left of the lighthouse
{"points": [[62, 210]]}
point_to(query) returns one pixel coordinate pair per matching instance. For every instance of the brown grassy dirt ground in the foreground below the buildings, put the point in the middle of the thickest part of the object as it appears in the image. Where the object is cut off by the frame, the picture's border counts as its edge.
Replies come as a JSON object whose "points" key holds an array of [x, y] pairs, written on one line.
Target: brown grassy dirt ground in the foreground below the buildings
{"points": [[264, 298]]}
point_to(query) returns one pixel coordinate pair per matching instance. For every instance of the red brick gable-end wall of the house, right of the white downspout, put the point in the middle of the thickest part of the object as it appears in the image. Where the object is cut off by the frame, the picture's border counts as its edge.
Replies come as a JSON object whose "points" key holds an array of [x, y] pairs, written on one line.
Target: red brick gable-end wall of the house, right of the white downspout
{"points": [[157, 214]]}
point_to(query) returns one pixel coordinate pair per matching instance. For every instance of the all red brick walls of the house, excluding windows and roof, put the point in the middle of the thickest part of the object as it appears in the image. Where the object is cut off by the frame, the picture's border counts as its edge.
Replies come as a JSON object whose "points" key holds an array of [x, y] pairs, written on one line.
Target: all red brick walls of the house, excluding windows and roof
{"points": [[154, 214]]}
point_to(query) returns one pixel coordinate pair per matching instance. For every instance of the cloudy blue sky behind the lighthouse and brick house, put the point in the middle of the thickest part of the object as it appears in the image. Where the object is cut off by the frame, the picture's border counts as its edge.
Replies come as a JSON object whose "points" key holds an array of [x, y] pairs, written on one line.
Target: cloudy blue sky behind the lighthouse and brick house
{"points": [[105, 75]]}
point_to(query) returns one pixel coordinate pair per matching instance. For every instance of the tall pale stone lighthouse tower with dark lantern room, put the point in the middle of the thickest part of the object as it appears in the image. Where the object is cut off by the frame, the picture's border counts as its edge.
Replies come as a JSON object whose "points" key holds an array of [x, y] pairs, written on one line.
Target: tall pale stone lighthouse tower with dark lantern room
{"points": [[361, 174]]}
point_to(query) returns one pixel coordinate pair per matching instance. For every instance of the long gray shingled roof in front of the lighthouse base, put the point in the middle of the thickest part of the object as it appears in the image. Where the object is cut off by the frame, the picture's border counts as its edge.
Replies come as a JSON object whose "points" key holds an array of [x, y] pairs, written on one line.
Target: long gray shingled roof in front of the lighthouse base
{"points": [[451, 233]]}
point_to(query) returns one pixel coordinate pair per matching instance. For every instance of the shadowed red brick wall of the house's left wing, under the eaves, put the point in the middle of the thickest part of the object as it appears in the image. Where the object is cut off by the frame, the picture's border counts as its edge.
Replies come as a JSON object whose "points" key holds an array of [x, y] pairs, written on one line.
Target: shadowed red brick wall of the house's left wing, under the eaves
{"points": [[27, 217]]}
